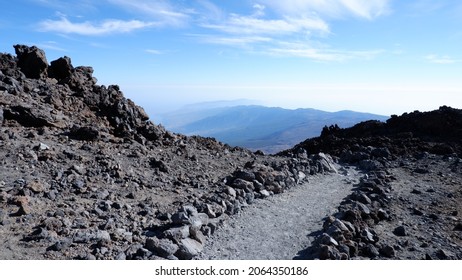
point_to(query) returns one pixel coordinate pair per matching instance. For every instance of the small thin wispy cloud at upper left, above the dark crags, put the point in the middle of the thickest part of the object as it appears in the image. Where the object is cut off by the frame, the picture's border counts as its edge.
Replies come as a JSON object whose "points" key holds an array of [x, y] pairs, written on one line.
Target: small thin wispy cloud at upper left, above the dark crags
{"points": [[106, 27]]}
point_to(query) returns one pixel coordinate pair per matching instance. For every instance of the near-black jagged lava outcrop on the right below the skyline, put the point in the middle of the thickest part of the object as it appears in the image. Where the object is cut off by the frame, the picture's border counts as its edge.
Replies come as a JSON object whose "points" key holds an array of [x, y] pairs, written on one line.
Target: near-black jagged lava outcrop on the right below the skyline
{"points": [[373, 143]]}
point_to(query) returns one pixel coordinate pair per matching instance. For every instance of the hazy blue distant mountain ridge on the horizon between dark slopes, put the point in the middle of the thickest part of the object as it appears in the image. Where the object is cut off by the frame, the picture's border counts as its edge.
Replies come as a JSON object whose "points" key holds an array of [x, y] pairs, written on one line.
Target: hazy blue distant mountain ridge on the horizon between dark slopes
{"points": [[270, 129]]}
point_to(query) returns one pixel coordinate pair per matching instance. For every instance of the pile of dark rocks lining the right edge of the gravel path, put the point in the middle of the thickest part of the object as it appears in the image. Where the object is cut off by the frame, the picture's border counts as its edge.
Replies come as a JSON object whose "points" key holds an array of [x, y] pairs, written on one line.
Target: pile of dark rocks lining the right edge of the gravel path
{"points": [[350, 233]]}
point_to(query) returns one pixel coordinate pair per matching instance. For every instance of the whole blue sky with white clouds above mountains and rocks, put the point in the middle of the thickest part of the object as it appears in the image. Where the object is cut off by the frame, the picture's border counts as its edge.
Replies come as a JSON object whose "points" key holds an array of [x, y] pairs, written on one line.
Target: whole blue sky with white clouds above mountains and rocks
{"points": [[379, 56]]}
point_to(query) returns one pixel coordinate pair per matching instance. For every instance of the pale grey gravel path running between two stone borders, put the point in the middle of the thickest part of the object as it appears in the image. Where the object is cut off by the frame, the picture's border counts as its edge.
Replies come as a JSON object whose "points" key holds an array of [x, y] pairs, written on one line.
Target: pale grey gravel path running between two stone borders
{"points": [[279, 227]]}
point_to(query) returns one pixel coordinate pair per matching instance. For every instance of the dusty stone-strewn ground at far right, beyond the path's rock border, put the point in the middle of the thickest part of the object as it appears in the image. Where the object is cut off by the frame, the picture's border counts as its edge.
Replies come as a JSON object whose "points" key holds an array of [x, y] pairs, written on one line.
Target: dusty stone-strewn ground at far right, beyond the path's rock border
{"points": [[427, 203]]}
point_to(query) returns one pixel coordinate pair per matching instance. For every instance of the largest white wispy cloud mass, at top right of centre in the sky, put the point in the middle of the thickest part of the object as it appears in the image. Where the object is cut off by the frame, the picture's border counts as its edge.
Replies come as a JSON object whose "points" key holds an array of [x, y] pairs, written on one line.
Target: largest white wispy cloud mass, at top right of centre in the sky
{"points": [[289, 32]]}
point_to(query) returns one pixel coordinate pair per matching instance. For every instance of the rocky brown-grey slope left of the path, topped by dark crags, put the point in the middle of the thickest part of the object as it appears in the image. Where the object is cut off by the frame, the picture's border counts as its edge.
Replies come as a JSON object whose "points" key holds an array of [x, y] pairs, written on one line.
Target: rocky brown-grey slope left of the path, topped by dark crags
{"points": [[84, 173]]}
